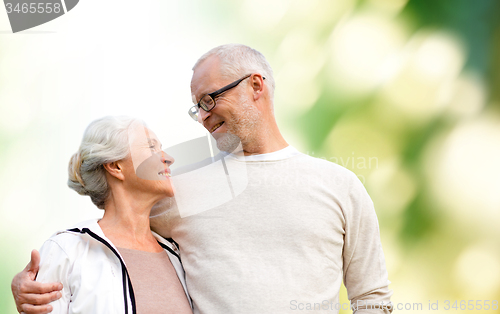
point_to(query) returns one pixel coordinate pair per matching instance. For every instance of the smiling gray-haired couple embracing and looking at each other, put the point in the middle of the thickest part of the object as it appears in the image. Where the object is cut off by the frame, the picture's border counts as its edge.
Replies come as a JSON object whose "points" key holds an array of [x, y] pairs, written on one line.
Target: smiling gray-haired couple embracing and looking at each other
{"points": [[284, 243]]}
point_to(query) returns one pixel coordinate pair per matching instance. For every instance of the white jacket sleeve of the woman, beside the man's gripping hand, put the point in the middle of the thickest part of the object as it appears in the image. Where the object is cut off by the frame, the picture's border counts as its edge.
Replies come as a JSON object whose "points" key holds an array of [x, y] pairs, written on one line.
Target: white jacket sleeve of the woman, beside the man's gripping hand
{"points": [[55, 266]]}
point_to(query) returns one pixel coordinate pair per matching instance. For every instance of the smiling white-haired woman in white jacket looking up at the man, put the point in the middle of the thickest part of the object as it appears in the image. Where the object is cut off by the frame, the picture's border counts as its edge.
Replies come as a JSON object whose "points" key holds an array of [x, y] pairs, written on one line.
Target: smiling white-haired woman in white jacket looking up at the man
{"points": [[117, 264]]}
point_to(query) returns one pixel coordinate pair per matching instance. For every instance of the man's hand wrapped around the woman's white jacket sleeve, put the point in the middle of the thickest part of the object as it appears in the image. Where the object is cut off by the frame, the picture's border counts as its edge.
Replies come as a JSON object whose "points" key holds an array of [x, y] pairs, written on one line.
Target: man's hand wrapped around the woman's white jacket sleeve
{"points": [[34, 297]]}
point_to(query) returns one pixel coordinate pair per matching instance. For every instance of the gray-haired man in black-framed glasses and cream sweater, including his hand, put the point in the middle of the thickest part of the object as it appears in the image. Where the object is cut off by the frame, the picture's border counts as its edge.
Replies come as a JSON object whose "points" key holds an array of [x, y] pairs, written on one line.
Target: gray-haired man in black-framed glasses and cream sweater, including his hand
{"points": [[285, 243]]}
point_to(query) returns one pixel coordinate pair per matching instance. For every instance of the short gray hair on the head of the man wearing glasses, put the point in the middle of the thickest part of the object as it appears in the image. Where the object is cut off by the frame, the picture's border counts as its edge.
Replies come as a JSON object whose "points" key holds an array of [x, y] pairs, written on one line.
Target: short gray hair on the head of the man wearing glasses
{"points": [[238, 60]]}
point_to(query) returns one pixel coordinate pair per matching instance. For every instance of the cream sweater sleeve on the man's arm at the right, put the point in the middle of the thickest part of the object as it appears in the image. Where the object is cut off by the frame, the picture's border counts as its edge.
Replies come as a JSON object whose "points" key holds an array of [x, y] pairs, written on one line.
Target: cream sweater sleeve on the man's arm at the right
{"points": [[365, 274]]}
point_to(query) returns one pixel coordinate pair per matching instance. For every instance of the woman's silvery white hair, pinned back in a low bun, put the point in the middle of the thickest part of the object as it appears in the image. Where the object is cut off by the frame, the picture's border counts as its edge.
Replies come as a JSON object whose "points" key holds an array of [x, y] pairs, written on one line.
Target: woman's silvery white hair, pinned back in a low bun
{"points": [[105, 140]]}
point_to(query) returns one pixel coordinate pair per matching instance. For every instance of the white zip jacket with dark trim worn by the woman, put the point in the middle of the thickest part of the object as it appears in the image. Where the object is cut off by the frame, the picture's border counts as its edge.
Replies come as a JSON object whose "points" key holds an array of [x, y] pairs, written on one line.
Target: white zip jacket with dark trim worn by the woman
{"points": [[94, 276]]}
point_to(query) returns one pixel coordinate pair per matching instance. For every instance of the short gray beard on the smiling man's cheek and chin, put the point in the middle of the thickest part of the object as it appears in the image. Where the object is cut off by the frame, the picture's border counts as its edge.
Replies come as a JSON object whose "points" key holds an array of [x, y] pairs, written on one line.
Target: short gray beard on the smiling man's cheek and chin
{"points": [[241, 127]]}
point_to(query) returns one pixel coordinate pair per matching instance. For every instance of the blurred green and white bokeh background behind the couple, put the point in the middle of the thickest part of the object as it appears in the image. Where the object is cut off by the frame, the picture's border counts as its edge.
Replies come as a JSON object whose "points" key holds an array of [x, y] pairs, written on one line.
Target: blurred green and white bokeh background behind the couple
{"points": [[403, 93]]}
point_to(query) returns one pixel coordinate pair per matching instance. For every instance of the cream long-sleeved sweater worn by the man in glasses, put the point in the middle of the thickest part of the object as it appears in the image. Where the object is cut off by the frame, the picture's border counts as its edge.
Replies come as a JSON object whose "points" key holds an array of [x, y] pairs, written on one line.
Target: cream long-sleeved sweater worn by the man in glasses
{"points": [[295, 229]]}
